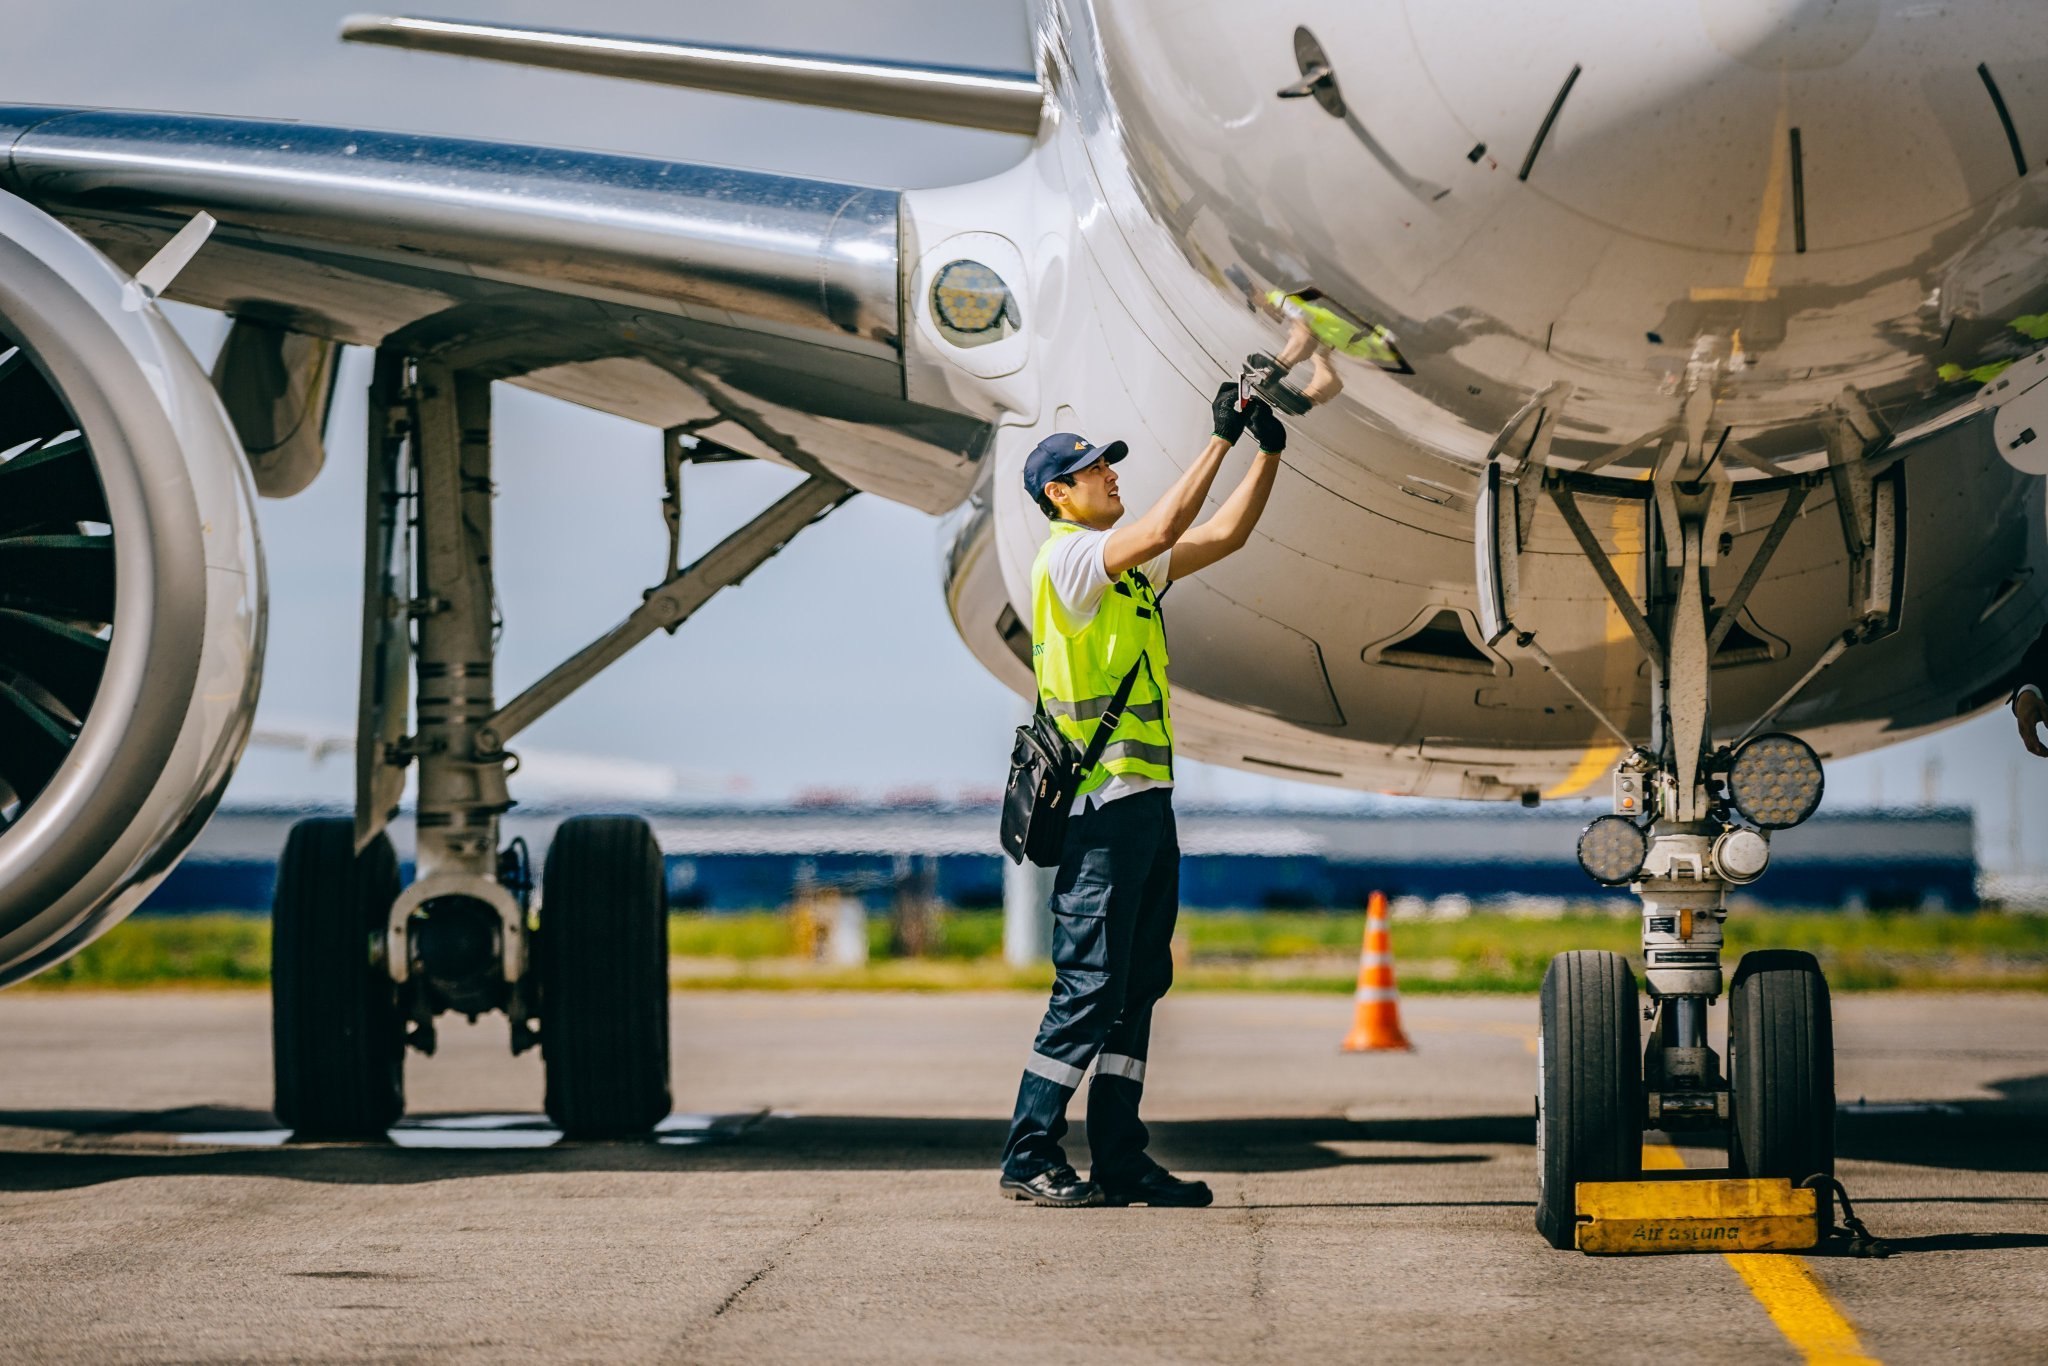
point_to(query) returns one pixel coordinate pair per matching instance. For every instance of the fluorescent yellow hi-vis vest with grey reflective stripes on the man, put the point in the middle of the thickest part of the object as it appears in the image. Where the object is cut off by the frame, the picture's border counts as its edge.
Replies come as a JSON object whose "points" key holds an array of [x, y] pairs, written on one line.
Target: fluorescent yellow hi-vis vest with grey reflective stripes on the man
{"points": [[1080, 667]]}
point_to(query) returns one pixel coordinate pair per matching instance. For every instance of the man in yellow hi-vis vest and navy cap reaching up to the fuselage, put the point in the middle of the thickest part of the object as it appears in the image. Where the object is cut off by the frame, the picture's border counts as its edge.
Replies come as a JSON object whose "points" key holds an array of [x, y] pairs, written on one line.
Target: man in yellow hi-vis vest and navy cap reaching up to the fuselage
{"points": [[1097, 615]]}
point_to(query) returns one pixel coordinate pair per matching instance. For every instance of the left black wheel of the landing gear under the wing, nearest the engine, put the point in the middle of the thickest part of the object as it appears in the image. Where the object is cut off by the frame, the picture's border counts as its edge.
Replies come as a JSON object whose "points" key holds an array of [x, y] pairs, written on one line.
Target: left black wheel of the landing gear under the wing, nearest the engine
{"points": [[337, 1031]]}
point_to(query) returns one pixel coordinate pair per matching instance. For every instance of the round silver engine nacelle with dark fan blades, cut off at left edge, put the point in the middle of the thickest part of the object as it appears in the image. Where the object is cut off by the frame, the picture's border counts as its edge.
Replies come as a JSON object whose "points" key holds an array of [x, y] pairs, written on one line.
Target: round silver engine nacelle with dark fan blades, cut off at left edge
{"points": [[132, 601]]}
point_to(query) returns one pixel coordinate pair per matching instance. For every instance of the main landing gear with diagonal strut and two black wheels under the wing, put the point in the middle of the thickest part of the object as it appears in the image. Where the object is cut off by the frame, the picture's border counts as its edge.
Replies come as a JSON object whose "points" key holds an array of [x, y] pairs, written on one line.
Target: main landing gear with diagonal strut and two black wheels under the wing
{"points": [[361, 966]]}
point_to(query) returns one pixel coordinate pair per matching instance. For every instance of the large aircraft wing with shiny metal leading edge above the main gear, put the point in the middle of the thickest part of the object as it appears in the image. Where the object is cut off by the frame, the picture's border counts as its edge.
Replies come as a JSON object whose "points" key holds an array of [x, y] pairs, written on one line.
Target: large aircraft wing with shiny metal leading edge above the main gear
{"points": [[759, 312]]}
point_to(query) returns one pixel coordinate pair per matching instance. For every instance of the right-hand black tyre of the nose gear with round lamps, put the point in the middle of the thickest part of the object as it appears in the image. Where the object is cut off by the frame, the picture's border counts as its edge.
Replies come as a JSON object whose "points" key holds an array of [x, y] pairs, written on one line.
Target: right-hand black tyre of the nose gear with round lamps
{"points": [[1783, 1070]]}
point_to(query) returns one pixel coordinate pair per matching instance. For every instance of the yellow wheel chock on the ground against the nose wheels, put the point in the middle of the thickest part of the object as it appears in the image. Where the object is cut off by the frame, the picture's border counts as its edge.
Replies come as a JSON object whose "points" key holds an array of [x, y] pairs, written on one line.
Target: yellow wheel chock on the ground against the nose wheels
{"points": [[1697, 1215]]}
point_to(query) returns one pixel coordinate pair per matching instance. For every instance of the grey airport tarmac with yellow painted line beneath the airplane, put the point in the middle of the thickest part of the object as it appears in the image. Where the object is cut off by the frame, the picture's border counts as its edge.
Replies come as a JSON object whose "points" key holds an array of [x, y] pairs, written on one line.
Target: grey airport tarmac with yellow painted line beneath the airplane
{"points": [[828, 1193]]}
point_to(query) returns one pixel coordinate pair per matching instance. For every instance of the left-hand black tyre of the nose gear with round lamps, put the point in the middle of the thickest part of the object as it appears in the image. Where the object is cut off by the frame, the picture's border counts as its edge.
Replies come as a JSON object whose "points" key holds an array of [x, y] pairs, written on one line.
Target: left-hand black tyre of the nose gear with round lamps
{"points": [[1588, 1086]]}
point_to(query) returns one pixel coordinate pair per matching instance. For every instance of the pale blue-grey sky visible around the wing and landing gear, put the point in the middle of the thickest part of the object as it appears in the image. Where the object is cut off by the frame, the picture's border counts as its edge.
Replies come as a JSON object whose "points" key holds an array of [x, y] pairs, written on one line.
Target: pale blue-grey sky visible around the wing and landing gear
{"points": [[796, 679]]}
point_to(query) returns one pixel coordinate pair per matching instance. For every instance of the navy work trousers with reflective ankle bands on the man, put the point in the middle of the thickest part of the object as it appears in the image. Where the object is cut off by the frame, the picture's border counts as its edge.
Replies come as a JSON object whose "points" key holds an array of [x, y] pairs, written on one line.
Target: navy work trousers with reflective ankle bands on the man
{"points": [[1113, 947]]}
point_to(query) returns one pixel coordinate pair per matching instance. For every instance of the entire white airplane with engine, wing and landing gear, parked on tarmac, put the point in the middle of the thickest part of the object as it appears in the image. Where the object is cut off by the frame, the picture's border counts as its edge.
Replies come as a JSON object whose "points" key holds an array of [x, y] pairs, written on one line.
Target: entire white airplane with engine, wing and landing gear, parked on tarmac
{"points": [[1662, 380]]}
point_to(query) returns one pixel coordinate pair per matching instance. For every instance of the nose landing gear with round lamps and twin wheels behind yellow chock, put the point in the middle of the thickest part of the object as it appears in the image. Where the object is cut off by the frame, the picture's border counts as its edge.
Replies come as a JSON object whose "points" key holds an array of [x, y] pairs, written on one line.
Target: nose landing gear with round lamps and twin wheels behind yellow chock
{"points": [[1691, 820]]}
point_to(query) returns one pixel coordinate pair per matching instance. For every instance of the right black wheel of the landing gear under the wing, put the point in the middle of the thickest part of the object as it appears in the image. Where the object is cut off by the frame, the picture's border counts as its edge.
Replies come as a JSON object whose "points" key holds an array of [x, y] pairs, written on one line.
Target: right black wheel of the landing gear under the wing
{"points": [[603, 962]]}
